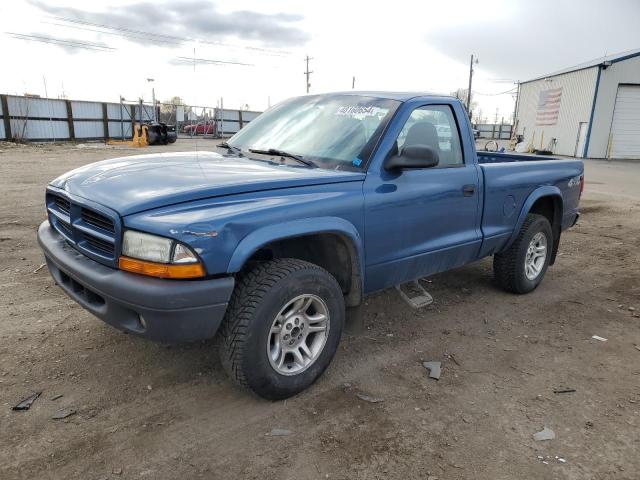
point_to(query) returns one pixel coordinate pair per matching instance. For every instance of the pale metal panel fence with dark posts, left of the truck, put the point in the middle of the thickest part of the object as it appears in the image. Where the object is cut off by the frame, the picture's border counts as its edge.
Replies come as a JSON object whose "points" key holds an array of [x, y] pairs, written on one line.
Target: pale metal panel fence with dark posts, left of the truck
{"points": [[47, 119]]}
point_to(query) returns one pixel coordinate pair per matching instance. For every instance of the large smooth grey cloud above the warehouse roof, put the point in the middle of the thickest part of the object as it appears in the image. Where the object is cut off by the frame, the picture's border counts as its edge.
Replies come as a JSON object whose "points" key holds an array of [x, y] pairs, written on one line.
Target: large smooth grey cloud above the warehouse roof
{"points": [[542, 37]]}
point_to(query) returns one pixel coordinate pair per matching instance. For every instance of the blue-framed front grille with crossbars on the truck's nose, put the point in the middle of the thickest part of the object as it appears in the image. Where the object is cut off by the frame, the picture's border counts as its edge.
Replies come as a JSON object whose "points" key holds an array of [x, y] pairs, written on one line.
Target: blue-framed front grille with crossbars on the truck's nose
{"points": [[90, 230]]}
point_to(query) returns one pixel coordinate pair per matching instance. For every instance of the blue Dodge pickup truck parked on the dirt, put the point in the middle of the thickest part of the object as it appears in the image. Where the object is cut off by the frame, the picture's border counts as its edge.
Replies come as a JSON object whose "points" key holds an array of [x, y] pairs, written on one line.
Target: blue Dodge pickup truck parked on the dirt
{"points": [[271, 239]]}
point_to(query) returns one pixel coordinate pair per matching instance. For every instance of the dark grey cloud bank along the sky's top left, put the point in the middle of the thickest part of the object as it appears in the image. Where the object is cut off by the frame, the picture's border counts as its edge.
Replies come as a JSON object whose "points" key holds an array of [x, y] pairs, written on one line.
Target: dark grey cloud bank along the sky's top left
{"points": [[182, 21]]}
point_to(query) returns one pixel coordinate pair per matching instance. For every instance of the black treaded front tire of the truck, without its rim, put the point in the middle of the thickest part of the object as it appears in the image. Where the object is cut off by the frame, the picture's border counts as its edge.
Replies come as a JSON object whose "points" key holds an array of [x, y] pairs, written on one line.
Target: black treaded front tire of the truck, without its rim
{"points": [[256, 301]]}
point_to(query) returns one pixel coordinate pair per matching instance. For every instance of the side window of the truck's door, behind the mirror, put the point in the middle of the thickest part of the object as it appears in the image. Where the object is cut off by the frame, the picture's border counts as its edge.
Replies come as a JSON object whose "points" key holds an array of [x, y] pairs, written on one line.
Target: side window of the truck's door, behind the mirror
{"points": [[435, 126]]}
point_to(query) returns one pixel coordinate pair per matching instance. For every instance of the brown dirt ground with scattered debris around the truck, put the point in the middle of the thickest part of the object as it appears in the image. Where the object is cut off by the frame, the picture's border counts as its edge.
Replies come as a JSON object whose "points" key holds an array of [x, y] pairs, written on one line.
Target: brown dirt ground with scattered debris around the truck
{"points": [[145, 410]]}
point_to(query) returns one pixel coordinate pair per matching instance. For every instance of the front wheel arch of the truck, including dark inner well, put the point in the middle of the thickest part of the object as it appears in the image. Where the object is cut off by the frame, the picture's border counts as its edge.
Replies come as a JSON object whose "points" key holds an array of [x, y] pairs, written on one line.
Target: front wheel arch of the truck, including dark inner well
{"points": [[330, 242]]}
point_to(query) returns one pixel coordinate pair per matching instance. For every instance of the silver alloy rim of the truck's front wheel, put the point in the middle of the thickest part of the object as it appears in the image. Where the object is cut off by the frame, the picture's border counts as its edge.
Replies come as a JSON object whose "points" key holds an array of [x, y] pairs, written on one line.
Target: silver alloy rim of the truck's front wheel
{"points": [[298, 334]]}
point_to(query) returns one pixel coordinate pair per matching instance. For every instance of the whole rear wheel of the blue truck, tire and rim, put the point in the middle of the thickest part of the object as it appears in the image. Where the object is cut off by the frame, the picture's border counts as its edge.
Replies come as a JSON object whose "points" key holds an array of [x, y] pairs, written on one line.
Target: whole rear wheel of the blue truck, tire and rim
{"points": [[521, 267]]}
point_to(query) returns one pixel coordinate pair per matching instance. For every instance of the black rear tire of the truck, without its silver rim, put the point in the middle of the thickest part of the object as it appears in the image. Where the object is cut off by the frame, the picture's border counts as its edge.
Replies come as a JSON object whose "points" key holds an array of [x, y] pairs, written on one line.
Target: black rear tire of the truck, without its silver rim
{"points": [[509, 266]]}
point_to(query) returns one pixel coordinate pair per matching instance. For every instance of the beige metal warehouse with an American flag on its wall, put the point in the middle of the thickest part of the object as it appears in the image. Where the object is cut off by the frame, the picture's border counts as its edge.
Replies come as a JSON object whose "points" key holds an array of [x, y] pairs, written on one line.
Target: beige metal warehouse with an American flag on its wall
{"points": [[591, 110]]}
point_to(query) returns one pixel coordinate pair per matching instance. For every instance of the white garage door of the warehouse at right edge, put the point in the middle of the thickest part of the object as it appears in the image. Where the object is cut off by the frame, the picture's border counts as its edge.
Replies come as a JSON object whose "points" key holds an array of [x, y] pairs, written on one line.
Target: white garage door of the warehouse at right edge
{"points": [[625, 128]]}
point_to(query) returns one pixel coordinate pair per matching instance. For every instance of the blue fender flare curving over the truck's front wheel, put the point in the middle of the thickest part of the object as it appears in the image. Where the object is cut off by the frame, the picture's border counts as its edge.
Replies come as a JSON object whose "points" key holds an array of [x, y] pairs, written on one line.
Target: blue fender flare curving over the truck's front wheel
{"points": [[296, 228]]}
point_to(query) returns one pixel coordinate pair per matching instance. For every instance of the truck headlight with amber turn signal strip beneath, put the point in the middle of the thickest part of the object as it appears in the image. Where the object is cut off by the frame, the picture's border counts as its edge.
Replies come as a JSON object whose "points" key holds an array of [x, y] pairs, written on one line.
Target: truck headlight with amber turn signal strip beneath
{"points": [[158, 256]]}
